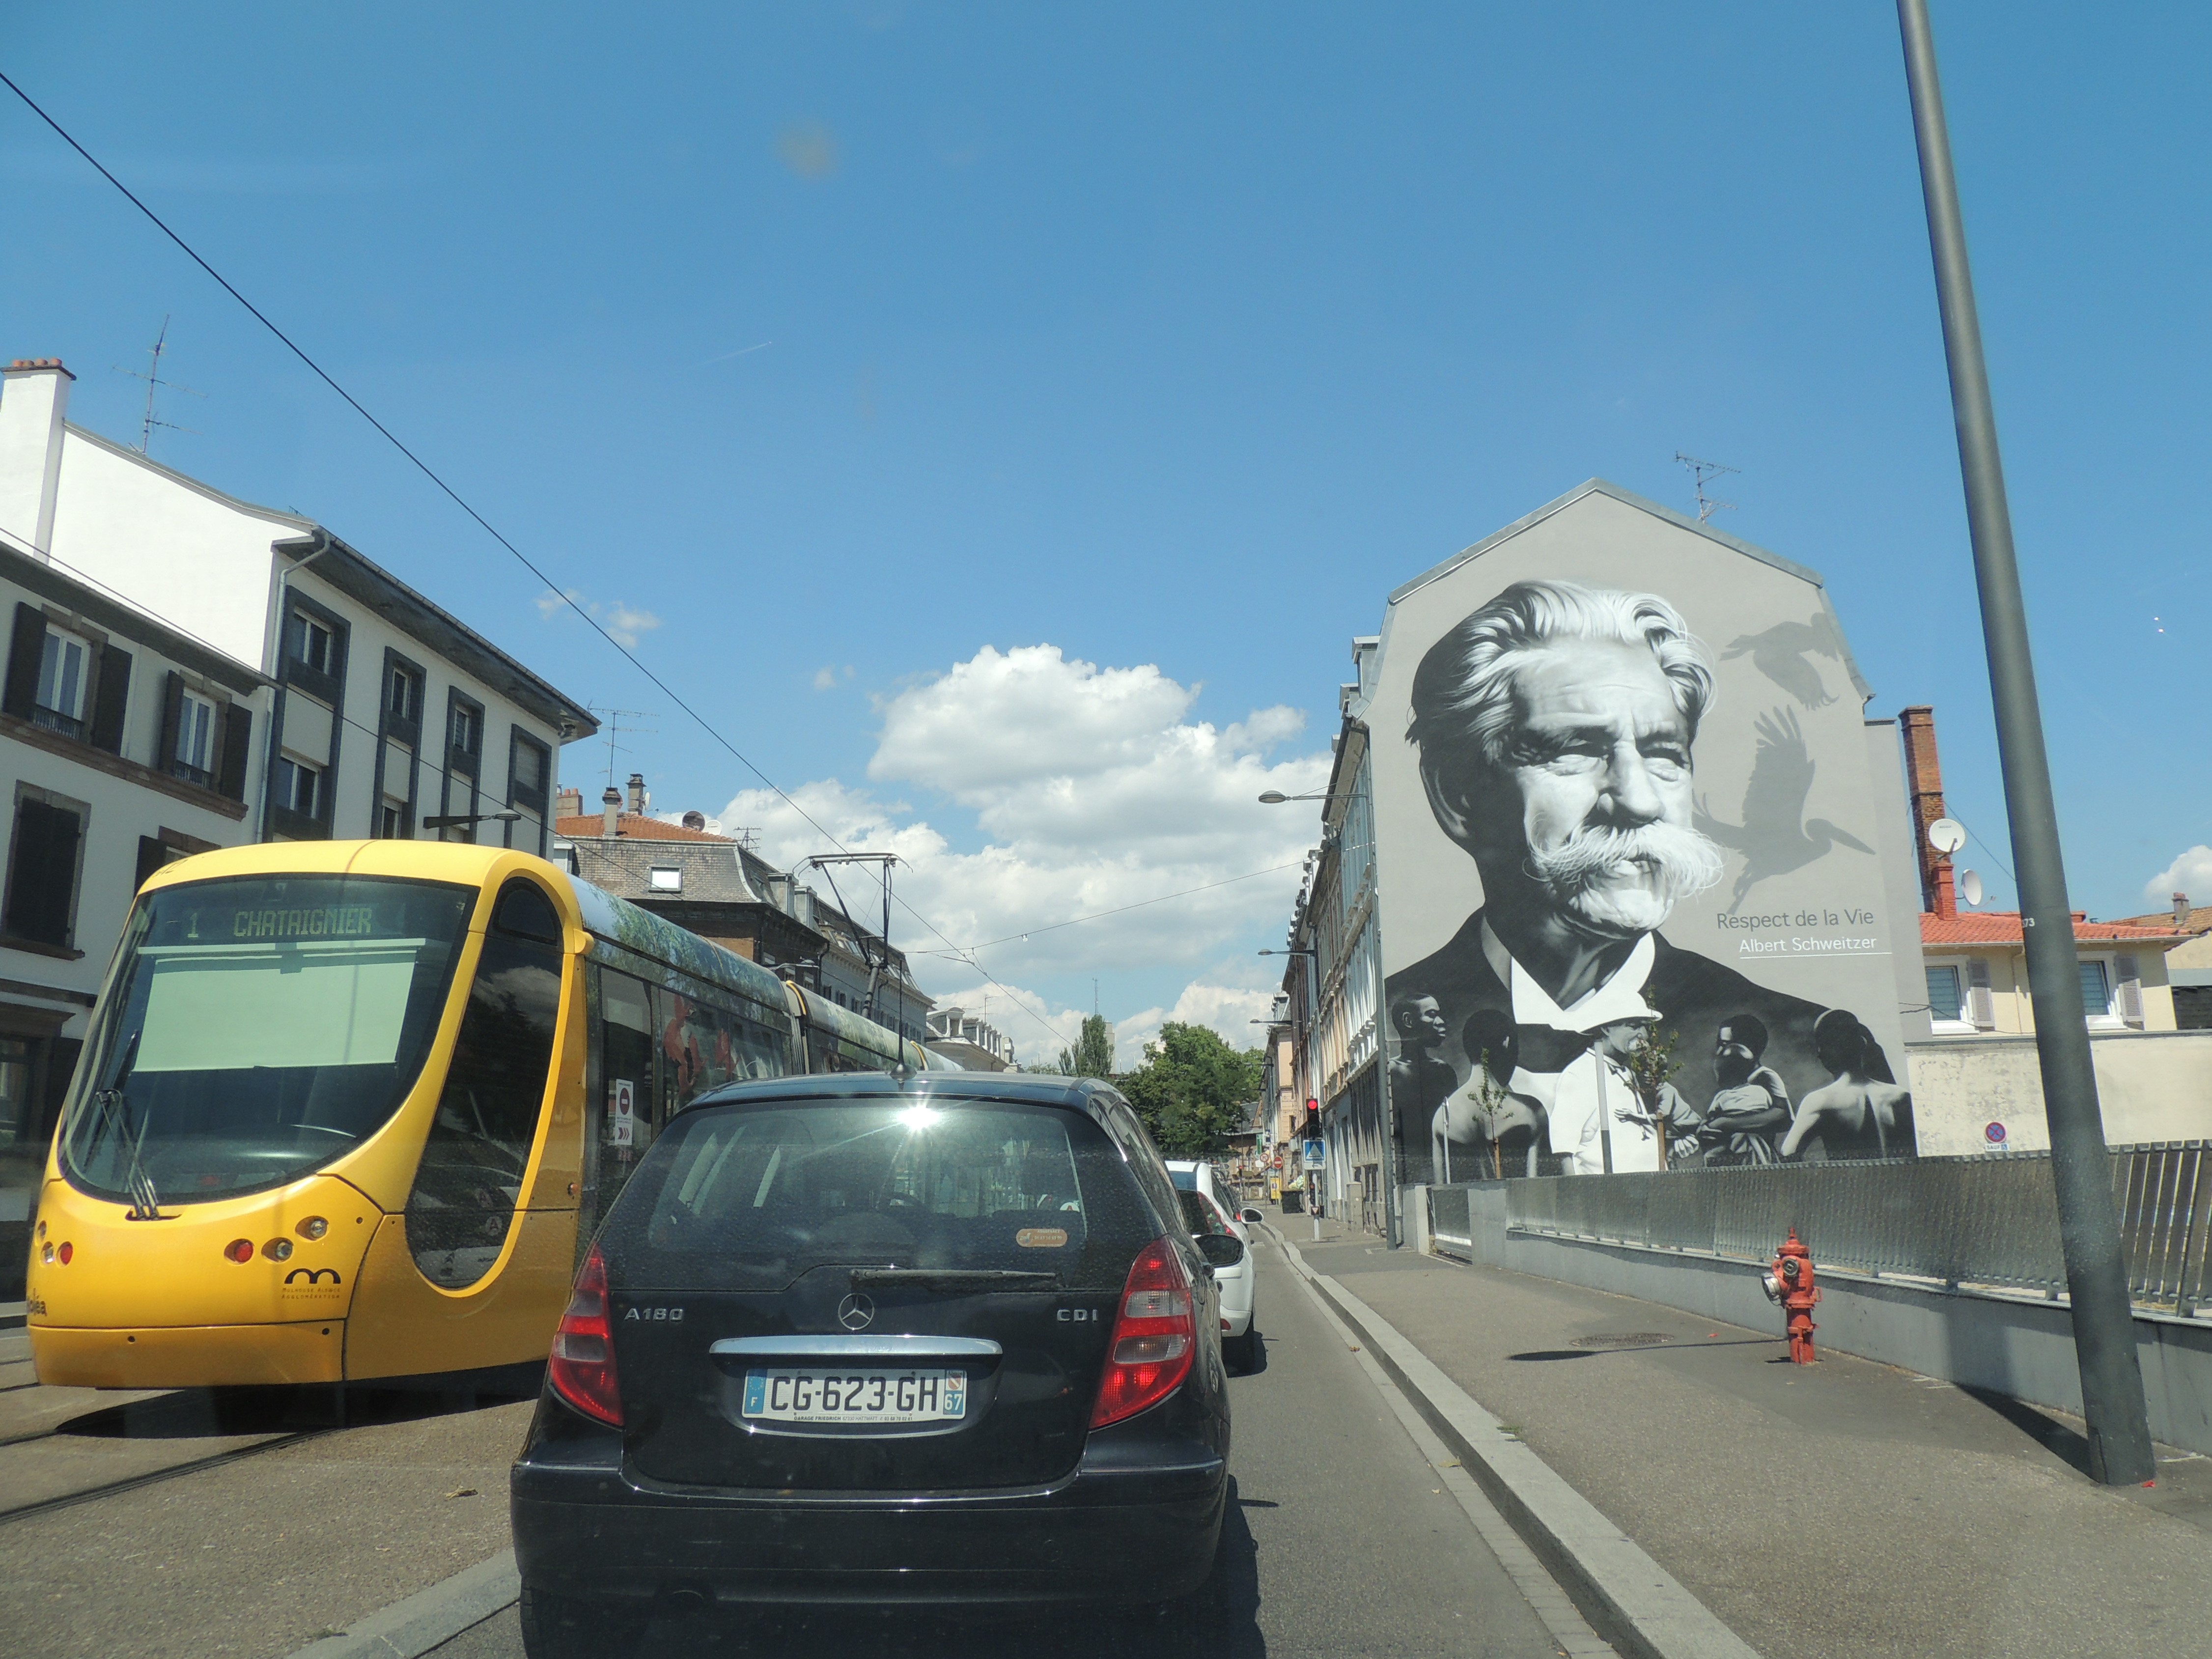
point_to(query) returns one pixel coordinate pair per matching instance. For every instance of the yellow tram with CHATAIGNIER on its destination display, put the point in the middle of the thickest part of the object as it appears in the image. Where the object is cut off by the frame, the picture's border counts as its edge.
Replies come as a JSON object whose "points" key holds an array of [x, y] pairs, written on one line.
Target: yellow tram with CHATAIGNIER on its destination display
{"points": [[353, 1112]]}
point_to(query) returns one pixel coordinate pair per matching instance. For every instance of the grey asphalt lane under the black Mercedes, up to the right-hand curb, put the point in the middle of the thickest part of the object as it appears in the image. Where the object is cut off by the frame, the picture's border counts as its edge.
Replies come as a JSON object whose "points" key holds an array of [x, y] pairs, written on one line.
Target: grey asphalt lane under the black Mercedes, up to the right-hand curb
{"points": [[1344, 1541]]}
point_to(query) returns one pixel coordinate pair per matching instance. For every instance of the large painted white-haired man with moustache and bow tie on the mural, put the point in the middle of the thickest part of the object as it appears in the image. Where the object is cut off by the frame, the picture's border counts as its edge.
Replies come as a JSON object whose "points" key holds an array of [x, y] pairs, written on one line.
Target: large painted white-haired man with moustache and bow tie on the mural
{"points": [[1556, 731]]}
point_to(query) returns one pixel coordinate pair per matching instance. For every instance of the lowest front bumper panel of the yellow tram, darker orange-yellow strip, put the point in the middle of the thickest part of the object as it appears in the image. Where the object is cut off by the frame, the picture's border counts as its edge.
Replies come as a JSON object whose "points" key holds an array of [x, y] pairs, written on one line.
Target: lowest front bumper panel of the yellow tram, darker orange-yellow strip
{"points": [[189, 1357]]}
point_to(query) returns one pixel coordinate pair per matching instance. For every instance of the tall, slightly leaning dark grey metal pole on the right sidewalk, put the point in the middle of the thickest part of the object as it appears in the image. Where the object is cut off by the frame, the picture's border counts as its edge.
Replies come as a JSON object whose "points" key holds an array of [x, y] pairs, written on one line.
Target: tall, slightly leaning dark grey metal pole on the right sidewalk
{"points": [[2089, 1224]]}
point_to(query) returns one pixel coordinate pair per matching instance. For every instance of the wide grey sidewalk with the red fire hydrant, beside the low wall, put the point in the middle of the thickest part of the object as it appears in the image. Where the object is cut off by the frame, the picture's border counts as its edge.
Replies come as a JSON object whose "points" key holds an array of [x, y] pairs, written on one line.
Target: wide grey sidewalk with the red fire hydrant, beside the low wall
{"points": [[1822, 1512]]}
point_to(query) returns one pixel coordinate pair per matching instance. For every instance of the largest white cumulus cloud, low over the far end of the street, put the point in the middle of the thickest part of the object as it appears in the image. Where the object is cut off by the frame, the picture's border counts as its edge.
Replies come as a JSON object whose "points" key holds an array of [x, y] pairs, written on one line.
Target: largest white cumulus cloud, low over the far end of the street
{"points": [[1074, 791]]}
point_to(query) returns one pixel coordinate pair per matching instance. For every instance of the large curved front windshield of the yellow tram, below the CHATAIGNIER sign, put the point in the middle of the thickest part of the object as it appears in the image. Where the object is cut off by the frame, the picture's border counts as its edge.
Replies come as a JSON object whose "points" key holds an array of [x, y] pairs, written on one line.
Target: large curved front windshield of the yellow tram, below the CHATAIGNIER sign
{"points": [[258, 1030]]}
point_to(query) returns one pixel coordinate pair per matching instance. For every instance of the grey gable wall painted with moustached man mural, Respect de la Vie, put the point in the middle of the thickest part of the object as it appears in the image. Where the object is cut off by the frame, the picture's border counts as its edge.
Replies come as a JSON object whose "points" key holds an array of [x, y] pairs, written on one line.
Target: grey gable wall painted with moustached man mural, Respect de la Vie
{"points": [[1625, 791]]}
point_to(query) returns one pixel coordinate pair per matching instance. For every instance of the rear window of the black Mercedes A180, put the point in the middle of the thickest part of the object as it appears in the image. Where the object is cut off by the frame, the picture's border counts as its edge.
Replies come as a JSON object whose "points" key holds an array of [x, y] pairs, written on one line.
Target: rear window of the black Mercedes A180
{"points": [[758, 1196]]}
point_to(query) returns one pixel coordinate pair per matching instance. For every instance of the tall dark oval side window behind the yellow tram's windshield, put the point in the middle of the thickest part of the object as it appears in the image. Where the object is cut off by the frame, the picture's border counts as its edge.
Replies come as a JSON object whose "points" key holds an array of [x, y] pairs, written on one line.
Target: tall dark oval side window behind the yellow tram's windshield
{"points": [[479, 1147]]}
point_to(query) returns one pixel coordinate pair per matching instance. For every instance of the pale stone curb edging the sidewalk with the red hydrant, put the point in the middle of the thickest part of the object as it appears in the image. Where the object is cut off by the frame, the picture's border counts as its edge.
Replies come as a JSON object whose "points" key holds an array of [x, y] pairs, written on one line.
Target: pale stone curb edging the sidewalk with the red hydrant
{"points": [[1625, 1594]]}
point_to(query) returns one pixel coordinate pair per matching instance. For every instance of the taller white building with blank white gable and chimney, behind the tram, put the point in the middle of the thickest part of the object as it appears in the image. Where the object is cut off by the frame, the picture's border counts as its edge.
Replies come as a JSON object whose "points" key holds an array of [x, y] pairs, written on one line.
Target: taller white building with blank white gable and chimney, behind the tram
{"points": [[388, 709]]}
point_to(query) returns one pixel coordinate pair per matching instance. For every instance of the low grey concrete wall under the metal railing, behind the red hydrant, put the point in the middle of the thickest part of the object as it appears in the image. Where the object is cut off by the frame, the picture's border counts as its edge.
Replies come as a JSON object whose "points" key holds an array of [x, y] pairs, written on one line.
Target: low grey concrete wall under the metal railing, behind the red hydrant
{"points": [[2012, 1346]]}
